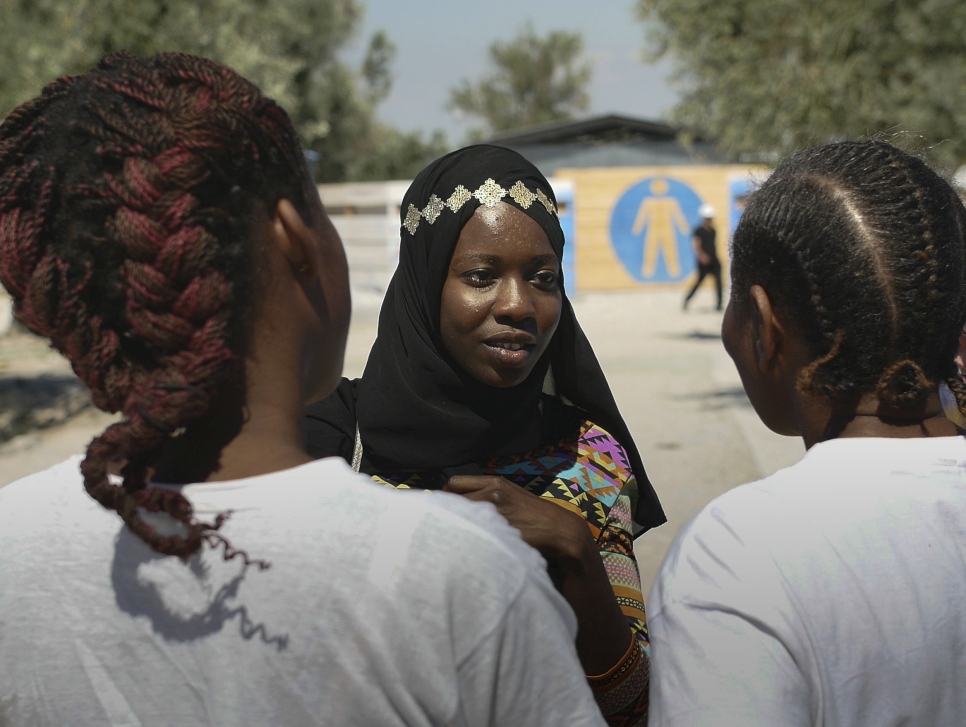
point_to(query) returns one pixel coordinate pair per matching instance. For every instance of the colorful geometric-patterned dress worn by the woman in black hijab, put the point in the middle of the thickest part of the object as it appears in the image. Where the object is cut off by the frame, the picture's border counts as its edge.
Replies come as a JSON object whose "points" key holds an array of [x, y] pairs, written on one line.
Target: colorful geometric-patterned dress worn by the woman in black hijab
{"points": [[590, 476]]}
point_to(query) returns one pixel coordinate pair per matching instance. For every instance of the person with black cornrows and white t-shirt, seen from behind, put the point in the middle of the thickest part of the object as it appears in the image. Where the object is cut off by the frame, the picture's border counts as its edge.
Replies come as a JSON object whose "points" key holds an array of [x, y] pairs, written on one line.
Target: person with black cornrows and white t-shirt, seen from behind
{"points": [[831, 593]]}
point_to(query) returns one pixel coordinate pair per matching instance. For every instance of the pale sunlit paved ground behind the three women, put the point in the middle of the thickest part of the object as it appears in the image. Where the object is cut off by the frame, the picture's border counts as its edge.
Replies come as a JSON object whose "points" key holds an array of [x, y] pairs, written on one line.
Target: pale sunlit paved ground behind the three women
{"points": [[675, 385]]}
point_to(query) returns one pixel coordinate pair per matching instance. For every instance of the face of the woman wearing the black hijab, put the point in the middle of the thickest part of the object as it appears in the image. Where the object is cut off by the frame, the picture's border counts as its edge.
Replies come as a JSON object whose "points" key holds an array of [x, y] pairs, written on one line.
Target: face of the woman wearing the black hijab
{"points": [[501, 299]]}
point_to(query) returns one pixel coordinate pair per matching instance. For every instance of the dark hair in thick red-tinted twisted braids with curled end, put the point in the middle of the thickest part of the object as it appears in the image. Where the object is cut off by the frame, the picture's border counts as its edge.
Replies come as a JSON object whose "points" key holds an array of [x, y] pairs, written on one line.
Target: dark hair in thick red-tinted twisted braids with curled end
{"points": [[127, 197]]}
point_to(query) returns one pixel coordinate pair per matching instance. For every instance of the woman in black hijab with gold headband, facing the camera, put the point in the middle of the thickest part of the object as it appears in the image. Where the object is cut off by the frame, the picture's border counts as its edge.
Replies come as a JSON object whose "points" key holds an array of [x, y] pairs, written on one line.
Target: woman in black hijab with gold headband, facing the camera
{"points": [[482, 383]]}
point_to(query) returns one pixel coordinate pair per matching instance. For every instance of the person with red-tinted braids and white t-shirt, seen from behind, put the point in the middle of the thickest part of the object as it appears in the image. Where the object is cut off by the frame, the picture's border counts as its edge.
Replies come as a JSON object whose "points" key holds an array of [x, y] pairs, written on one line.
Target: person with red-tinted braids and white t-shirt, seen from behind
{"points": [[159, 226]]}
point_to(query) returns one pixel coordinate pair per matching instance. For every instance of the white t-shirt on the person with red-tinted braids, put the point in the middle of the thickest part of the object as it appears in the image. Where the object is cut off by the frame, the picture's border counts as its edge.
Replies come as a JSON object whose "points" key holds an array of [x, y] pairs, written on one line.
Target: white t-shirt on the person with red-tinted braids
{"points": [[380, 608]]}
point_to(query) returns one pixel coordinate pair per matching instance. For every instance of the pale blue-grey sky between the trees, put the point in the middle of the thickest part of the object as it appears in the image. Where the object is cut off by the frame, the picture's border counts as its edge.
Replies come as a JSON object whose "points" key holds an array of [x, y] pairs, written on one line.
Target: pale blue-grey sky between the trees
{"points": [[441, 42]]}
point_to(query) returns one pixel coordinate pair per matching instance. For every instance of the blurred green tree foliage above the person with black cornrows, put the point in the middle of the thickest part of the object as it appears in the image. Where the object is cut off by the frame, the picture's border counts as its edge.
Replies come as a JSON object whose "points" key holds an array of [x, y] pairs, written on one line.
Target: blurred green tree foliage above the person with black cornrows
{"points": [[762, 77]]}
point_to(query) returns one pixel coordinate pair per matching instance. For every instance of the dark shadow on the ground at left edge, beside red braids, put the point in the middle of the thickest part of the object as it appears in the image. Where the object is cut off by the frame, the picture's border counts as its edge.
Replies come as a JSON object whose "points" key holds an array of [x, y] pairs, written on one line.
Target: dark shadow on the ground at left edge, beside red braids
{"points": [[36, 402]]}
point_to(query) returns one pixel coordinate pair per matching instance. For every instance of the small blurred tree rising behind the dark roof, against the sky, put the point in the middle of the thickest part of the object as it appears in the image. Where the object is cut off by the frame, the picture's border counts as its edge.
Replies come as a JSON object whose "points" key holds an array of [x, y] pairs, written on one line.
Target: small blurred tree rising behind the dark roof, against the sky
{"points": [[534, 80]]}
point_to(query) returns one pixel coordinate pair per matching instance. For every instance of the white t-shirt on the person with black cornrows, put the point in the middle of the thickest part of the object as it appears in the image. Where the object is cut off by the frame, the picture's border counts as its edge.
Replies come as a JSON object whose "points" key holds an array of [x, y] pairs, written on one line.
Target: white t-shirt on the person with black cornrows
{"points": [[831, 593]]}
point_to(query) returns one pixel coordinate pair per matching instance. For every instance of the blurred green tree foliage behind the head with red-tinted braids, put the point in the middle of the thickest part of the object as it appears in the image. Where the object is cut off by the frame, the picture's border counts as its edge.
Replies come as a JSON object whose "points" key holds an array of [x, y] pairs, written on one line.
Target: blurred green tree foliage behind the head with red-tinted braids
{"points": [[288, 47]]}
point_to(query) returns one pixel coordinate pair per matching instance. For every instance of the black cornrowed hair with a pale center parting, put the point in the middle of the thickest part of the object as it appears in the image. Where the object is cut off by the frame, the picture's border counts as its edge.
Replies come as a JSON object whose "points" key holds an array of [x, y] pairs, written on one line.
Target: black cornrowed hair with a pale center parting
{"points": [[863, 247]]}
